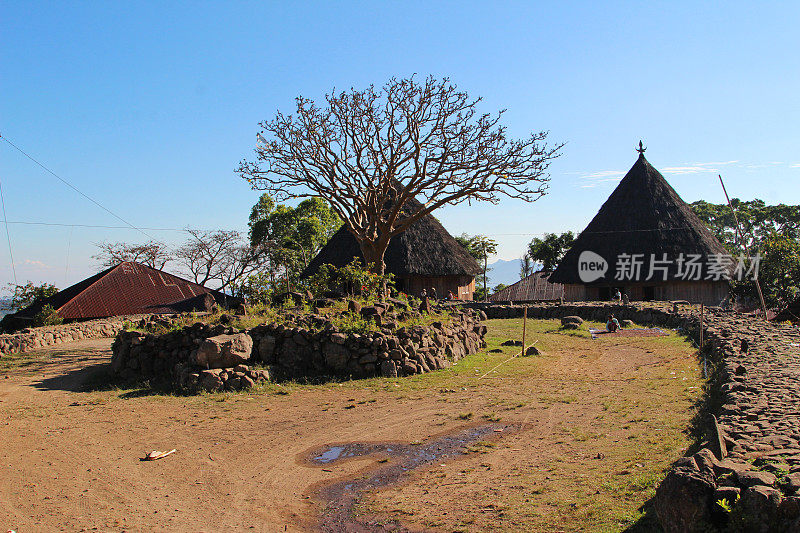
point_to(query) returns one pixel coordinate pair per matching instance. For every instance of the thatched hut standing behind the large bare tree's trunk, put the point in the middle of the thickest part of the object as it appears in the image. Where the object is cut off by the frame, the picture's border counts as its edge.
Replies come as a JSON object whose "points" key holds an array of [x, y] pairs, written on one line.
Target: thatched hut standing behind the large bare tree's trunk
{"points": [[424, 256]]}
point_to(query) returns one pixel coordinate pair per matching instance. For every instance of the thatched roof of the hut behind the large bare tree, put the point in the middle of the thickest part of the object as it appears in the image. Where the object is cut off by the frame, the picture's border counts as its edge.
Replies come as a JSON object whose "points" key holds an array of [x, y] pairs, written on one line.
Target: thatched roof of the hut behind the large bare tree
{"points": [[425, 249]]}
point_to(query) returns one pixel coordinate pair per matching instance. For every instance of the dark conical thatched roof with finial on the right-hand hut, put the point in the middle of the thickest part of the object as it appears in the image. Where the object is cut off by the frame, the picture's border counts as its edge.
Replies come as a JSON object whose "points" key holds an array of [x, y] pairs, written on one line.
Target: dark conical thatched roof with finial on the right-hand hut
{"points": [[644, 215]]}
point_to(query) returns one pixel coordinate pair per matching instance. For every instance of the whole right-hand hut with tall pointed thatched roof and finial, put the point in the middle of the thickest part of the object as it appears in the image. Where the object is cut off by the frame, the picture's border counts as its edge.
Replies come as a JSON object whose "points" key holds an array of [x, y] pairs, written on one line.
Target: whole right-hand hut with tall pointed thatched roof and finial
{"points": [[651, 244]]}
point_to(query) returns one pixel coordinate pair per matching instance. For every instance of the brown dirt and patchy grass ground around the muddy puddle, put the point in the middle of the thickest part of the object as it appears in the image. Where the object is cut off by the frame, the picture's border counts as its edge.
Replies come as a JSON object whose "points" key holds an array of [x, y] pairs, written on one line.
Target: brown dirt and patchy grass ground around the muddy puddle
{"points": [[600, 422]]}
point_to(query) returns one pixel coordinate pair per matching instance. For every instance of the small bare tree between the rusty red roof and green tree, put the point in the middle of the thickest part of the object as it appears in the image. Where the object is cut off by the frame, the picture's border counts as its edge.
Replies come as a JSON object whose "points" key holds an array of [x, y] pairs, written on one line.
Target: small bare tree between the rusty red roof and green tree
{"points": [[220, 256]]}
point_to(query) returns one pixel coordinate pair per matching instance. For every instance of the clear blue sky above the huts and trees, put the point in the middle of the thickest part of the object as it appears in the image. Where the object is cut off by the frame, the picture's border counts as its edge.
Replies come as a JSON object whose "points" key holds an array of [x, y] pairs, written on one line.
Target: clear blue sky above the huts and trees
{"points": [[148, 107]]}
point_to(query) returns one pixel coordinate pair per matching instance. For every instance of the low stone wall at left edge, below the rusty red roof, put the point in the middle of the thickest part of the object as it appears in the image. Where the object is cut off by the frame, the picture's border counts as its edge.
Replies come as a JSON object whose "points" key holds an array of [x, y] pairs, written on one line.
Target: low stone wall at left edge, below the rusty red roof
{"points": [[34, 338]]}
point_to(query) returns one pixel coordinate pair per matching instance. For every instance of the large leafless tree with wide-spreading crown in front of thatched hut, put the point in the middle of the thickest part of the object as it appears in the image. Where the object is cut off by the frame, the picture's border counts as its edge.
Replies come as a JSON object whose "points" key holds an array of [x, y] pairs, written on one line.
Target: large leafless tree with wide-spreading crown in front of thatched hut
{"points": [[369, 153]]}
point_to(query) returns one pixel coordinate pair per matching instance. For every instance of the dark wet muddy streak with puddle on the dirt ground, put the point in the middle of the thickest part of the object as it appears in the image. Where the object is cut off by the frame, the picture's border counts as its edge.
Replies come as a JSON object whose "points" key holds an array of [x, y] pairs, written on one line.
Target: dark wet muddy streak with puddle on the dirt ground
{"points": [[340, 498]]}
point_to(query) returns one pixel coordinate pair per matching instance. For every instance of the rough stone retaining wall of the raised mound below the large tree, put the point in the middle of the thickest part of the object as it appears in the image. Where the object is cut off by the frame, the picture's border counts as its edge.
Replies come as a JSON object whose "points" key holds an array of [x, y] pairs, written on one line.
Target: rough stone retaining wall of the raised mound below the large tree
{"points": [[300, 351]]}
